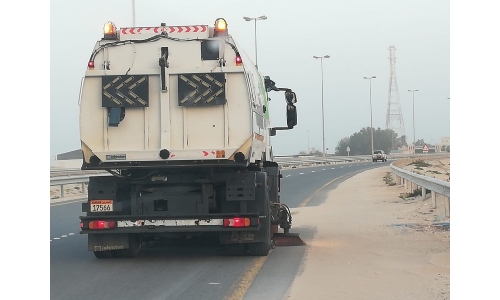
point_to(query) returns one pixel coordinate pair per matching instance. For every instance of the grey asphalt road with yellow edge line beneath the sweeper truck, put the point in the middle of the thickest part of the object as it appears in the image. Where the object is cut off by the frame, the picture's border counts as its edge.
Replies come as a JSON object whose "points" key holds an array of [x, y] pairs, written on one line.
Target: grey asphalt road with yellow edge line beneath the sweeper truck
{"points": [[197, 269]]}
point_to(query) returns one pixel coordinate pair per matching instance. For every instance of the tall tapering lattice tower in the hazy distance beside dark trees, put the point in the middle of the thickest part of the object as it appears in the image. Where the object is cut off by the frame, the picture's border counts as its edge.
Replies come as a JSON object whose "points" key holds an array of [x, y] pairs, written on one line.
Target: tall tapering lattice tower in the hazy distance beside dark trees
{"points": [[394, 118]]}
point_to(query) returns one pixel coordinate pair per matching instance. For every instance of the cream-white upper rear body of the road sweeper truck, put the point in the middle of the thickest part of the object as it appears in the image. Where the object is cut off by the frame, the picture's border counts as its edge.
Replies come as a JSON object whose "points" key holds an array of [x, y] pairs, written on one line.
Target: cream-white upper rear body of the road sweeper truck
{"points": [[196, 132]]}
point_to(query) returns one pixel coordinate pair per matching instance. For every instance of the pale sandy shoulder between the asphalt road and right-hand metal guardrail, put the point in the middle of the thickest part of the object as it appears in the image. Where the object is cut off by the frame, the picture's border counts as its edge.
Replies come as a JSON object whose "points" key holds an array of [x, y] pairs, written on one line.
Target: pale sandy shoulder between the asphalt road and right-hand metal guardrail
{"points": [[371, 244]]}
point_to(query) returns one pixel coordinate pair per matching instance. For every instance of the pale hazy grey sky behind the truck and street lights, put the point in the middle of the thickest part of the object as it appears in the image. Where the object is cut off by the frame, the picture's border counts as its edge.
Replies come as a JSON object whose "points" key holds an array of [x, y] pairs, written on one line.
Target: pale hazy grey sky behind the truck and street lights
{"points": [[356, 34]]}
